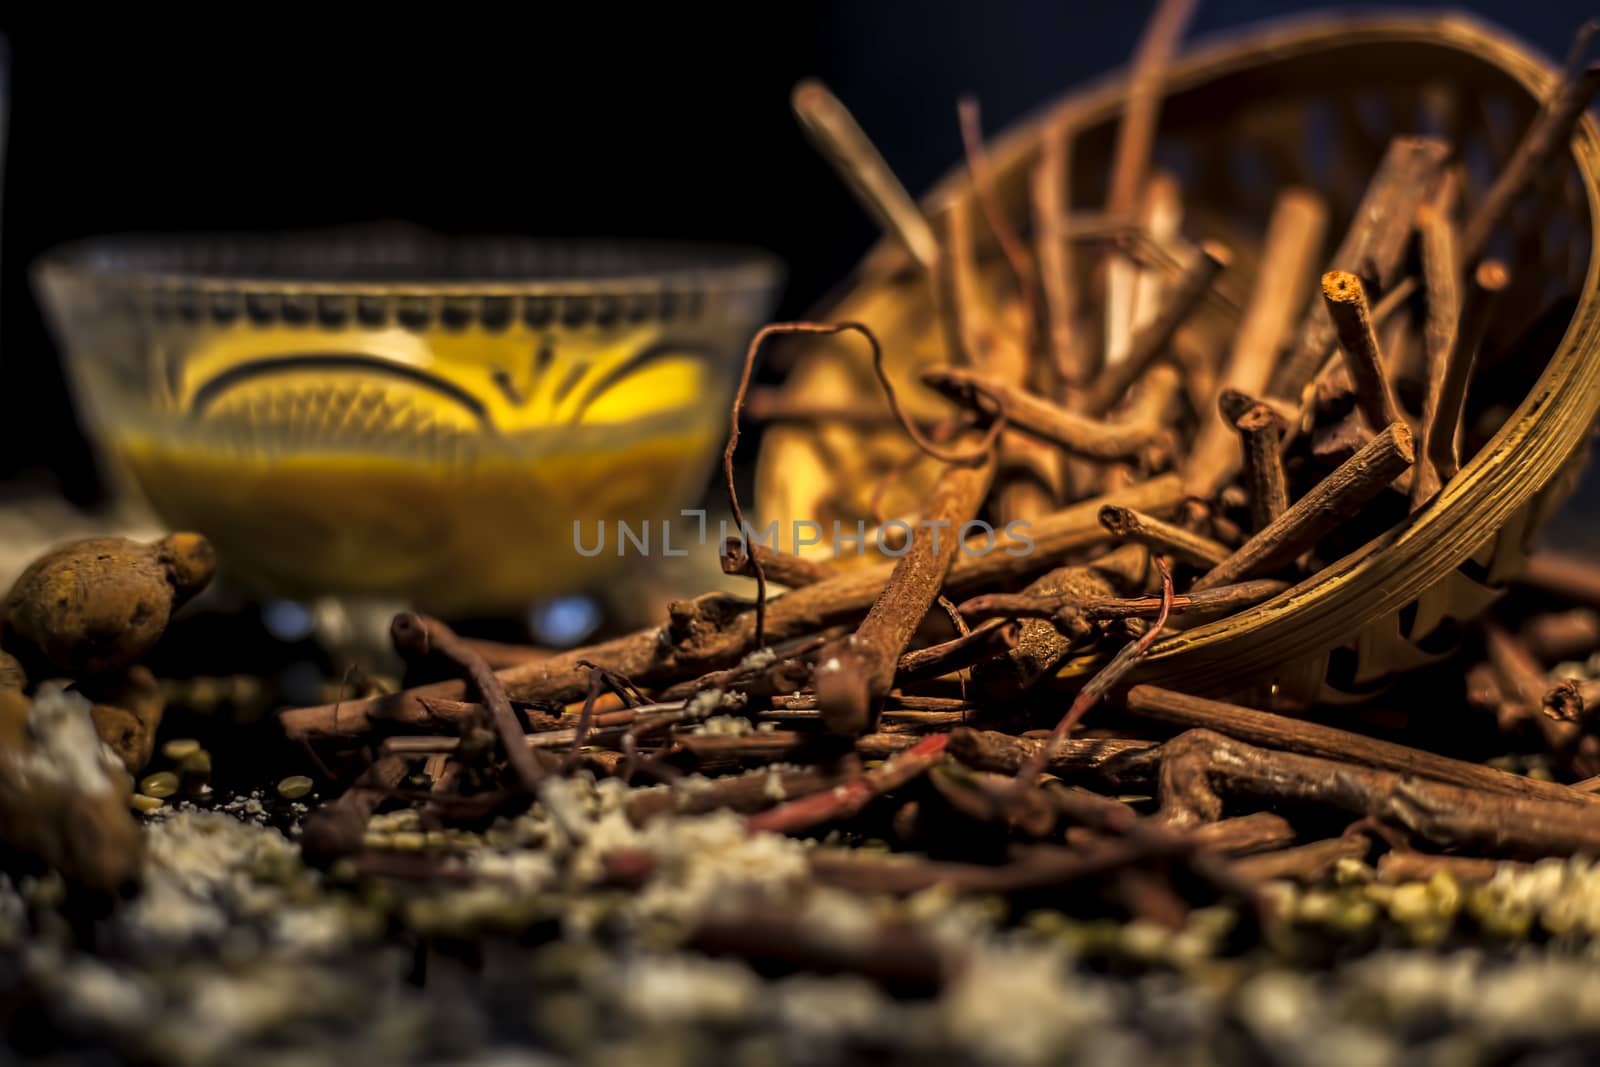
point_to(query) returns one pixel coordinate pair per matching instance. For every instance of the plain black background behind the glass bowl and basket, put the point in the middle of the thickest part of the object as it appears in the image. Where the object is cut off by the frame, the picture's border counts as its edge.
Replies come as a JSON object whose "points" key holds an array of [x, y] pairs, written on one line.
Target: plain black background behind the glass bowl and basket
{"points": [[665, 121]]}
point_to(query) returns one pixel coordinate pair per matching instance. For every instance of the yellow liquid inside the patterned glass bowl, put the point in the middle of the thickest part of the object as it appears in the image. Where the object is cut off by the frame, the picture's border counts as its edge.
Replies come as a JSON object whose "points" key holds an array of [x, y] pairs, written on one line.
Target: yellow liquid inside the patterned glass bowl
{"points": [[444, 466]]}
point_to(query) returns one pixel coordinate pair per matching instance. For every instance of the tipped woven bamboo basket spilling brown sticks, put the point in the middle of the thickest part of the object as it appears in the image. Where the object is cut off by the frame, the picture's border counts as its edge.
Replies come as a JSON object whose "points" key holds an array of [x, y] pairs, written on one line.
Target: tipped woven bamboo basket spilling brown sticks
{"points": [[1310, 103]]}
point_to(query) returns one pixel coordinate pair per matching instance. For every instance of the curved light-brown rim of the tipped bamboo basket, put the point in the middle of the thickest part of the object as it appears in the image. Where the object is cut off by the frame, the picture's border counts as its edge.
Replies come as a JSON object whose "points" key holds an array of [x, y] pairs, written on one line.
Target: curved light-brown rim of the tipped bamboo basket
{"points": [[1522, 458]]}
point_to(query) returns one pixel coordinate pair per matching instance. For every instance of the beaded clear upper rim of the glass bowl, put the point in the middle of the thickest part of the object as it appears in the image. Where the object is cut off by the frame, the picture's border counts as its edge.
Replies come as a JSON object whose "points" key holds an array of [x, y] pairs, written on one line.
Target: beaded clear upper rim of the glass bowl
{"points": [[132, 260]]}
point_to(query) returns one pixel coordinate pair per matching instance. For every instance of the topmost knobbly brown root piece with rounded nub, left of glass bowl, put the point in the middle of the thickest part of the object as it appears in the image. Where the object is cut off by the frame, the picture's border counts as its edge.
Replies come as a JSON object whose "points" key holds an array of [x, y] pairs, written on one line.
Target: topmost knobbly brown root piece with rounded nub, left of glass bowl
{"points": [[98, 605]]}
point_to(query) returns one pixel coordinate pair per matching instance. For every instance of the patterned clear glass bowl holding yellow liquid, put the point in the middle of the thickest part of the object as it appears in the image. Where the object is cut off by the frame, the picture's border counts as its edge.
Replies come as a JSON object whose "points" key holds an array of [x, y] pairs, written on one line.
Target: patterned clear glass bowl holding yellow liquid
{"points": [[401, 415]]}
